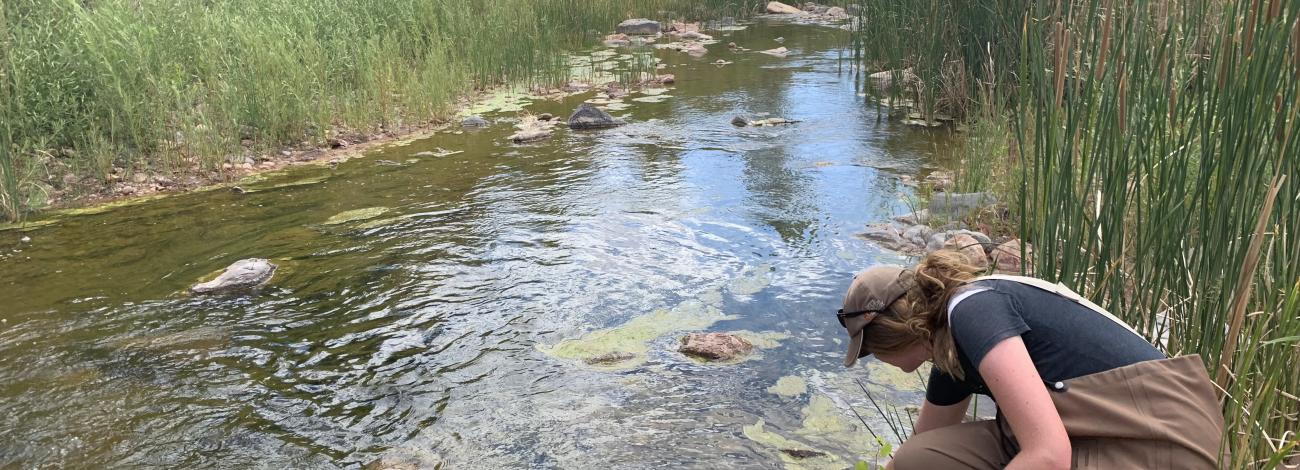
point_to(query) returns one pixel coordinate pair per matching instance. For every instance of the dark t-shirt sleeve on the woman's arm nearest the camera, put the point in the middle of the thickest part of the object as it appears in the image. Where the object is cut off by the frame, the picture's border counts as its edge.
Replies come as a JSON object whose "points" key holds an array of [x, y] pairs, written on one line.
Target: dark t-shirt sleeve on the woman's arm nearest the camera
{"points": [[983, 320]]}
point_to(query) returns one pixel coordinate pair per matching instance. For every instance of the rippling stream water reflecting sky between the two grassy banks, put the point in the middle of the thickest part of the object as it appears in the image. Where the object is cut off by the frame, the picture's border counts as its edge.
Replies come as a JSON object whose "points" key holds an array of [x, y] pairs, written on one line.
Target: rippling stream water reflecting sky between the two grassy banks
{"points": [[419, 307]]}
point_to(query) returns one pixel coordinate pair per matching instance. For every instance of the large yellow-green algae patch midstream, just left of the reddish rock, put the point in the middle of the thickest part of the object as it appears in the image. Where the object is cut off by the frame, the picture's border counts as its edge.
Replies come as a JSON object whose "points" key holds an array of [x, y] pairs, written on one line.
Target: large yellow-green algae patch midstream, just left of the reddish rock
{"points": [[635, 336]]}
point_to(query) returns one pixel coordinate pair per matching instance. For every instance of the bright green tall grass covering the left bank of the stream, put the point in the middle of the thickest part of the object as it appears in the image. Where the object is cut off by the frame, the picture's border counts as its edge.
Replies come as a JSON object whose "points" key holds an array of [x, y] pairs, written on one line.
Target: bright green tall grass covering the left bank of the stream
{"points": [[168, 85]]}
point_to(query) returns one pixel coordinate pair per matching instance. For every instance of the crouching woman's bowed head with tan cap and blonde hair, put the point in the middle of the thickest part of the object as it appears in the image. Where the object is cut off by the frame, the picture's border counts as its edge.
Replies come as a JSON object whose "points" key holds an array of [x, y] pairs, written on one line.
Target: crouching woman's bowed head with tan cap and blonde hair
{"points": [[915, 324]]}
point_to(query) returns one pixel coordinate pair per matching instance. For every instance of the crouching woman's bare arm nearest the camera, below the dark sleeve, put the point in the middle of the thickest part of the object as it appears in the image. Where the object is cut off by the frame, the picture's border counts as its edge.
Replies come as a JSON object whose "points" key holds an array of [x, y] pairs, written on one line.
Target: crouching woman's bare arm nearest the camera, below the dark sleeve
{"points": [[1026, 404]]}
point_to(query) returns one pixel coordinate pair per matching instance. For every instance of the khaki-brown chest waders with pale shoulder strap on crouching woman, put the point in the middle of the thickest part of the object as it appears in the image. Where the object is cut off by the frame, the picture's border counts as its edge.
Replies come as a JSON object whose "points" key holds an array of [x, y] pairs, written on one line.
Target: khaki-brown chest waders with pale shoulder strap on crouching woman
{"points": [[1154, 415]]}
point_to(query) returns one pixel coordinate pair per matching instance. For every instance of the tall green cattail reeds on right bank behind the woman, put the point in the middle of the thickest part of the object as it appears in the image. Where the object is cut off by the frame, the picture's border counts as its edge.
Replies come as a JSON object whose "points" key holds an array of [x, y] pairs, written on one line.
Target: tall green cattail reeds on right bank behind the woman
{"points": [[1159, 175]]}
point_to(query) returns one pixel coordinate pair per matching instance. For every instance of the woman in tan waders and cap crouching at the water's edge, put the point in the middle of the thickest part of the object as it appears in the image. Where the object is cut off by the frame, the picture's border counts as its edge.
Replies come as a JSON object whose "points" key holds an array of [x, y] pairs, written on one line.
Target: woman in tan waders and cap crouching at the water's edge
{"points": [[1076, 388]]}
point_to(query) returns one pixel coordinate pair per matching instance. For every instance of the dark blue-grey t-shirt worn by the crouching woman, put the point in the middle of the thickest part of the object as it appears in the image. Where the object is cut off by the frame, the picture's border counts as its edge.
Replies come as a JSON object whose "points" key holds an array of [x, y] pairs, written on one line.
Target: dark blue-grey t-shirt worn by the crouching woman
{"points": [[1064, 340]]}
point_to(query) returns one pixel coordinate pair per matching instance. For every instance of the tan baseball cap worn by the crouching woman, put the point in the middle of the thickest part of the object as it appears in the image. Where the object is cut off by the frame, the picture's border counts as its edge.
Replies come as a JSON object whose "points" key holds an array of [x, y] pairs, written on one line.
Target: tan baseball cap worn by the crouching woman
{"points": [[872, 293]]}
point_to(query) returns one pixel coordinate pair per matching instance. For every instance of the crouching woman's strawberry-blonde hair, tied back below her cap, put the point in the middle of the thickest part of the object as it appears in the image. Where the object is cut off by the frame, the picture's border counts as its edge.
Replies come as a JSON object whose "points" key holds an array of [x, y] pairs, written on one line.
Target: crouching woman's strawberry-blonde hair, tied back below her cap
{"points": [[922, 314]]}
